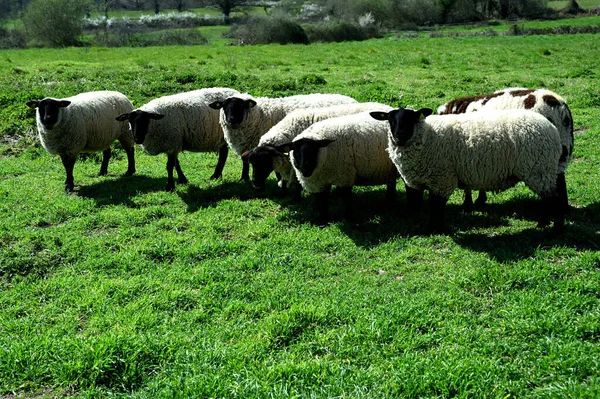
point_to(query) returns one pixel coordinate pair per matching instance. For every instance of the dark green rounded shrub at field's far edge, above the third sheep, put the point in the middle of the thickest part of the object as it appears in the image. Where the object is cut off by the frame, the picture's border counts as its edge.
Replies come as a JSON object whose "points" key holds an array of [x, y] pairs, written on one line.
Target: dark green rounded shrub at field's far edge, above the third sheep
{"points": [[261, 30]]}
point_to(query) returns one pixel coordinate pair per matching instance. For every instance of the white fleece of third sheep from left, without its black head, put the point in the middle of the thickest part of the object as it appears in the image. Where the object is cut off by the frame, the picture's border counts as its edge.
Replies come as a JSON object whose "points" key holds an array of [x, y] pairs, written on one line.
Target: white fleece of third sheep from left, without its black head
{"points": [[268, 112]]}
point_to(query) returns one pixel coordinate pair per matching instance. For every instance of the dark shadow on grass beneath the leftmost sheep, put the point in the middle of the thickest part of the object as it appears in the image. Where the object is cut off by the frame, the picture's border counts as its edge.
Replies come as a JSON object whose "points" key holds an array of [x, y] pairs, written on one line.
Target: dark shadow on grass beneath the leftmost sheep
{"points": [[119, 191]]}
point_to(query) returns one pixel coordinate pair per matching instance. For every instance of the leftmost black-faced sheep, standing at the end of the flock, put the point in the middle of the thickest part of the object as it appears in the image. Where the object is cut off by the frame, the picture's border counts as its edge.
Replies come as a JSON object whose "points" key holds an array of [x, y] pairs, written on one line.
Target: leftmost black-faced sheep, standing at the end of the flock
{"points": [[84, 123]]}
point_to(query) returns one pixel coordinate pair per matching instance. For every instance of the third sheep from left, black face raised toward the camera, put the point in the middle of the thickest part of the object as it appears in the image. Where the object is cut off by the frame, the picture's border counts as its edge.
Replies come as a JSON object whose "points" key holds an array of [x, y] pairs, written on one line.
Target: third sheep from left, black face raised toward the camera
{"points": [[245, 119]]}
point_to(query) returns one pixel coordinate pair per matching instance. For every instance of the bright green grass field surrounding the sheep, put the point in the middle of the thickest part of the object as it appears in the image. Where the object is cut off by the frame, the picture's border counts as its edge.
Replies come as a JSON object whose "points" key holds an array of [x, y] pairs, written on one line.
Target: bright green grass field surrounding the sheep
{"points": [[124, 290]]}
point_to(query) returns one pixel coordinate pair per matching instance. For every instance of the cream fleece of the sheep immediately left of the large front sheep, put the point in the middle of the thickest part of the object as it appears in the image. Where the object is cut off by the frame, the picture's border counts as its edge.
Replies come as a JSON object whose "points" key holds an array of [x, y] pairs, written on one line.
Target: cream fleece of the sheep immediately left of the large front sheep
{"points": [[357, 156]]}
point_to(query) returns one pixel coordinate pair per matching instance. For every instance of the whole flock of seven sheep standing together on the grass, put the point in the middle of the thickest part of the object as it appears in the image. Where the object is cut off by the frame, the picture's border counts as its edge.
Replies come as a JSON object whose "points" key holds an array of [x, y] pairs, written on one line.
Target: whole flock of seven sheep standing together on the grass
{"points": [[313, 142]]}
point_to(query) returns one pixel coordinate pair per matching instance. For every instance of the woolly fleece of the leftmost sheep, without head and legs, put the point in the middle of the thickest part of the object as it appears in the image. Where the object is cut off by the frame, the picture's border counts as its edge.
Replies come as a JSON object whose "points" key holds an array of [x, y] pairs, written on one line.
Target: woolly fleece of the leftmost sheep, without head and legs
{"points": [[88, 124]]}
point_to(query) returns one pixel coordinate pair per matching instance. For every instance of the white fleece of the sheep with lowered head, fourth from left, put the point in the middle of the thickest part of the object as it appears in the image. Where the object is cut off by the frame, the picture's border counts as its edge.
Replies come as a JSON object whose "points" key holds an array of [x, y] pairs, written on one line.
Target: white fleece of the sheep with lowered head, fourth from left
{"points": [[298, 121]]}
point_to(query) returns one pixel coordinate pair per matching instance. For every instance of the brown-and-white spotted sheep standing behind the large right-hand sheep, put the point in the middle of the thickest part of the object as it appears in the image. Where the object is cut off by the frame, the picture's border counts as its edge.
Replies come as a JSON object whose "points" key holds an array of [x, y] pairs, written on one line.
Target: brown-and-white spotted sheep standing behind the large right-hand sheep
{"points": [[545, 102]]}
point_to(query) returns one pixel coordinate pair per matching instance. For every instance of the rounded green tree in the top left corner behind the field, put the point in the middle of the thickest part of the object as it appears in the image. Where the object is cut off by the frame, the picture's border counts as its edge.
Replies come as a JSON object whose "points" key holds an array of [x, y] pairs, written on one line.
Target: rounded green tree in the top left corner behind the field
{"points": [[48, 21]]}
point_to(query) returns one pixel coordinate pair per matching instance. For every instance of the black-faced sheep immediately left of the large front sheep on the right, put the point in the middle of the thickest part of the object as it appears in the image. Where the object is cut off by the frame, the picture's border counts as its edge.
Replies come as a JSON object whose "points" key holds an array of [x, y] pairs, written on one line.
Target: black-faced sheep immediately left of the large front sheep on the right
{"points": [[343, 152]]}
